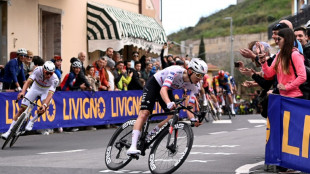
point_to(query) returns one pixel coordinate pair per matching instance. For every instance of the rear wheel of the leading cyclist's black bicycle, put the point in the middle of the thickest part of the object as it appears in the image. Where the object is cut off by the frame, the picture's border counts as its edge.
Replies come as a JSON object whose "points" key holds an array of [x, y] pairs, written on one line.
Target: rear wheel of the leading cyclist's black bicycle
{"points": [[115, 154]]}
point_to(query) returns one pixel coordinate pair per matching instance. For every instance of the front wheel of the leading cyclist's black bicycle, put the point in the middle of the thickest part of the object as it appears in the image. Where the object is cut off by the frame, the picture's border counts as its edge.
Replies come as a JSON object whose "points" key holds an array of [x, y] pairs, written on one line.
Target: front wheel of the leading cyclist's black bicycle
{"points": [[163, 159]]}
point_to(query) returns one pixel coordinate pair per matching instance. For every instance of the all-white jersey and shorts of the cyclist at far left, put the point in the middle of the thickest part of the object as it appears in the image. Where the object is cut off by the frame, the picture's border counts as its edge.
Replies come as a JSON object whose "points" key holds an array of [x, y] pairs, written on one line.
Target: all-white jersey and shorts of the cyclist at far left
{"points": [[40, 86]]}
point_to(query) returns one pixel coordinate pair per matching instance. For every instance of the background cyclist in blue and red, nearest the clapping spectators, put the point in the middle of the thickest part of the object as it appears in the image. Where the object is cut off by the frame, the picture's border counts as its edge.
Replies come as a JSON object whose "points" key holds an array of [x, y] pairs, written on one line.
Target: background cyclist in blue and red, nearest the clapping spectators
{"points": [[223, 81]]}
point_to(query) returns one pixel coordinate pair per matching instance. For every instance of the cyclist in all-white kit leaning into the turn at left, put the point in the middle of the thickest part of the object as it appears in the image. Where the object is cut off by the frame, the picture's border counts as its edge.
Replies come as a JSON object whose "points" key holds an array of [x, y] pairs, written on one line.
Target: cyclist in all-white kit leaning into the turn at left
{"points": [[45, 83]]}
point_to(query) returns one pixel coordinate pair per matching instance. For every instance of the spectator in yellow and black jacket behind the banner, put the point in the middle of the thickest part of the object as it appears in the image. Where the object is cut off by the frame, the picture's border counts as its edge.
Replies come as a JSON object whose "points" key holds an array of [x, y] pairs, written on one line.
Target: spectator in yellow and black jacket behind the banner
{"points": [[121, 79]]}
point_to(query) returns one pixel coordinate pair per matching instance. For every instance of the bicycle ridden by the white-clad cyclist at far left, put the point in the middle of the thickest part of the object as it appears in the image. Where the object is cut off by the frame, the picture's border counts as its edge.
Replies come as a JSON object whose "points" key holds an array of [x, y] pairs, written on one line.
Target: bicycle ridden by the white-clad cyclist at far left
{"points": [[20, 125]]}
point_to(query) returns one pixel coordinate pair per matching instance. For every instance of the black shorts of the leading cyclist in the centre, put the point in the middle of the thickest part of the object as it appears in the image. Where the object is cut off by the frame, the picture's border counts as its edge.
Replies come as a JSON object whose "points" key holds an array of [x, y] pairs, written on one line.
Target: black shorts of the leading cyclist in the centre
{"points": [[151, 94]]}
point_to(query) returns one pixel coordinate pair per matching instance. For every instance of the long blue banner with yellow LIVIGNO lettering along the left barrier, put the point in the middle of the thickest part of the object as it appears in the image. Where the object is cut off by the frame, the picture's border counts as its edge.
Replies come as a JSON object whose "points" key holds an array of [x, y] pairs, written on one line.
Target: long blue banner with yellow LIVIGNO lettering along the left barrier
{"points": [[81, 108]]}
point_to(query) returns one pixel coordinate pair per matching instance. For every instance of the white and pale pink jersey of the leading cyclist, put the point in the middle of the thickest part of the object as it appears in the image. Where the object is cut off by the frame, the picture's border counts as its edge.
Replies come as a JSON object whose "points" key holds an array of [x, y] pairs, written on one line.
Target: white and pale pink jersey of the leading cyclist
{"points": [[172, 77]]}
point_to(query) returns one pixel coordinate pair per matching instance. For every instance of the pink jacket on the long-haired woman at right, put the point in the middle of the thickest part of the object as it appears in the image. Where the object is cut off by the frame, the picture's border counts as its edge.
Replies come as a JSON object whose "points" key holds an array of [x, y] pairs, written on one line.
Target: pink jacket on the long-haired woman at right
{"points": [[290, 81]]}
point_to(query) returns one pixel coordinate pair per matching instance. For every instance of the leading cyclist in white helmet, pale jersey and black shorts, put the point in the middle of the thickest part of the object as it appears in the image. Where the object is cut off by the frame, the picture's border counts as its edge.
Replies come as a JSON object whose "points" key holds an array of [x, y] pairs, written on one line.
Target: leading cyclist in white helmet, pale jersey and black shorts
{"points": [[162, 83]]}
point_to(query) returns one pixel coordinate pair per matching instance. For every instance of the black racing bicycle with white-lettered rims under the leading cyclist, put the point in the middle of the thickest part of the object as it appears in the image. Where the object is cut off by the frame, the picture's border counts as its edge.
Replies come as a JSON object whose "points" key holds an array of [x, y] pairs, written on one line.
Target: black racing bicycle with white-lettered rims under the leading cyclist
{"points": [[170, 145]]}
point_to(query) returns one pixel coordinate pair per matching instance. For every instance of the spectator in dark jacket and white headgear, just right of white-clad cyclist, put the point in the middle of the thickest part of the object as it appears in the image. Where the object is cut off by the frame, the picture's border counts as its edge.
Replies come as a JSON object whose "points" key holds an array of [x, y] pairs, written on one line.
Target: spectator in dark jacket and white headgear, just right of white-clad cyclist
{"points": [[73, 81]]}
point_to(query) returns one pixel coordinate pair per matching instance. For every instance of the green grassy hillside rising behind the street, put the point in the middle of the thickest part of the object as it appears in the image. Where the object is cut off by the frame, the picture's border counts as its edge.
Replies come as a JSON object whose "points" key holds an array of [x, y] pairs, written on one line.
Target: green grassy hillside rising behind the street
{"points": [[251, 16]]}
